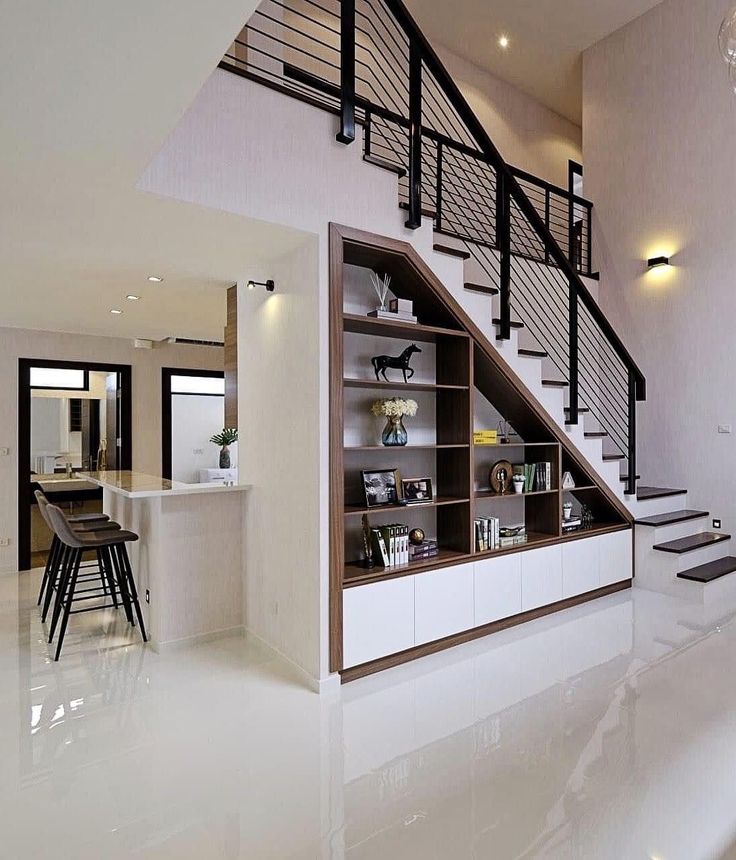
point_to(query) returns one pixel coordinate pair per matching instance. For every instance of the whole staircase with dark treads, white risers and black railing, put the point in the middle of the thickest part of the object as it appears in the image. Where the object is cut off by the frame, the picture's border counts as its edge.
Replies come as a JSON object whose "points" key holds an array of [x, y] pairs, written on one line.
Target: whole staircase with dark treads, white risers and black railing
{"points": [[515, 252]]}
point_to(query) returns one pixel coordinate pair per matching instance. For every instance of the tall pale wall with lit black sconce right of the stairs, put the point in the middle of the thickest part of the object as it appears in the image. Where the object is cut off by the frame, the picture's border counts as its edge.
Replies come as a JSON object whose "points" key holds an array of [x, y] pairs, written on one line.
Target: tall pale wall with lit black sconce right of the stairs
{"points": [[659, 126]]}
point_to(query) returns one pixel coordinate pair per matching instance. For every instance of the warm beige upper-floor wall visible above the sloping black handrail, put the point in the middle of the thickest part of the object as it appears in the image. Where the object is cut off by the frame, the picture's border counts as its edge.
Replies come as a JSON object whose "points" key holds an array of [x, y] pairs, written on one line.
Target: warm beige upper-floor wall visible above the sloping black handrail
{"points": [[527, 133]]}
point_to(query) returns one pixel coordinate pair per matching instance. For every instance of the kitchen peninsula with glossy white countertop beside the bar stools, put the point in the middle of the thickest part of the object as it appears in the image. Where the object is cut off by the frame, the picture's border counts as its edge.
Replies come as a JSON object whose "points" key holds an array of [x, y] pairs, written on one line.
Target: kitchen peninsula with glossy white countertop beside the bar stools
{"points": [[188, 561]]}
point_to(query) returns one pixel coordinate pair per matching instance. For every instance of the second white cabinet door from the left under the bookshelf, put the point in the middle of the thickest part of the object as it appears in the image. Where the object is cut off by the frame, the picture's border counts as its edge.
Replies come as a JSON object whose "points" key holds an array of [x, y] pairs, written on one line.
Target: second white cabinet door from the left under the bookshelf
{"points": [[443, 602]]}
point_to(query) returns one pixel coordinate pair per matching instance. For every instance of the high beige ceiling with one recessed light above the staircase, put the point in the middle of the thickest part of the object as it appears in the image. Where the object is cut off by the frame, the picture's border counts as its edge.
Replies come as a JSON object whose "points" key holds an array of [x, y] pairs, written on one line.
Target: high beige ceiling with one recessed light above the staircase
{"points": [[546, 39]]}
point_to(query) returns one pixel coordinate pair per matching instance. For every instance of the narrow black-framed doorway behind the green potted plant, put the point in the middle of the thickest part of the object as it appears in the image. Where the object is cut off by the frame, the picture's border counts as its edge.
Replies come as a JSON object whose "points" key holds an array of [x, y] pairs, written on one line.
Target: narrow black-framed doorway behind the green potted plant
{"points": [[193, 410]]}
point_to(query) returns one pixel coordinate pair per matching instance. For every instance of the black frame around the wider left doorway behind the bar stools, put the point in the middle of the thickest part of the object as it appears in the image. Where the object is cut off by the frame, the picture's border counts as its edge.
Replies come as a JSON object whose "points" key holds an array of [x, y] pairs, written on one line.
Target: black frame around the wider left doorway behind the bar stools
{"points": [[24, 435]]}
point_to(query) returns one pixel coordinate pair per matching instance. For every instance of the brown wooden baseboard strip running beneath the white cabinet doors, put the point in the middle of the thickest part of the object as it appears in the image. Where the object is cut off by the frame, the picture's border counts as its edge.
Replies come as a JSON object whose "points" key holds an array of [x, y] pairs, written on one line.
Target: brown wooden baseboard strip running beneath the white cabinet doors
{"points": [[393, 660]]}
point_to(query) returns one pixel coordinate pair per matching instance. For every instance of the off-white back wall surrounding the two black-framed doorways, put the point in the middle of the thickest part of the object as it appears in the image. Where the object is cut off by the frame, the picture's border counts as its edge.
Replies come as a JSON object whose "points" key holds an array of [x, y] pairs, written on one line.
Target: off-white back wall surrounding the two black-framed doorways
{"points": [[146, 364]]}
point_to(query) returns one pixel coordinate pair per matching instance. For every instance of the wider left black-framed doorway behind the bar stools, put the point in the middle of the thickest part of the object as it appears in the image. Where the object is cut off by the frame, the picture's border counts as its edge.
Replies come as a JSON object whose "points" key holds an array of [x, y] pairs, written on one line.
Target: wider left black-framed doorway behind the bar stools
{"points": [[73, 416]]}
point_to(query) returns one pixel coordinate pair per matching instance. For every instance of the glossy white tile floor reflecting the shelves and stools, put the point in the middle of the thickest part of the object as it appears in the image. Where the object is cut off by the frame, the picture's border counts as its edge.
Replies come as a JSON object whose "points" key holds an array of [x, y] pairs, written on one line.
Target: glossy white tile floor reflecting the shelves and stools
{"points": [[608, 731]]}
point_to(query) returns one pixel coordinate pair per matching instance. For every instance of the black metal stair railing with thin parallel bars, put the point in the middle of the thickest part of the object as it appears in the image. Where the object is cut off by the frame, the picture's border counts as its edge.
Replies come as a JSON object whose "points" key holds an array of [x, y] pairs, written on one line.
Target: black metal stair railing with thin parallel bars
{"points": [[369, 63]]}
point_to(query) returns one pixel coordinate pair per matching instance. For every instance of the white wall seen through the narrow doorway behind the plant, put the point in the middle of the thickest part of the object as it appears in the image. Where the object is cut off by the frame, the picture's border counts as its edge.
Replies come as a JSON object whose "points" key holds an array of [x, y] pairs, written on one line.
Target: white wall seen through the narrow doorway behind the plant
{"points": [[195, 418]]}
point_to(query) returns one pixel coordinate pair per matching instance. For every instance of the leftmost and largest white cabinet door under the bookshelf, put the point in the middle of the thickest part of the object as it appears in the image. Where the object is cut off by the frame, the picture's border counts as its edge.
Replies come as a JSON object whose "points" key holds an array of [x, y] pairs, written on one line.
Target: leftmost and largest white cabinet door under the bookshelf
{"points": [[378, 619]]}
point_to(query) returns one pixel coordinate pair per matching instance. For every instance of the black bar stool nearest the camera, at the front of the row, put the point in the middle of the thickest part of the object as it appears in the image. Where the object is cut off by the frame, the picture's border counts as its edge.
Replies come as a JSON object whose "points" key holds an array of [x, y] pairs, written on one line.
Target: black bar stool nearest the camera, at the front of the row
{"points": [[111, 546]]}
